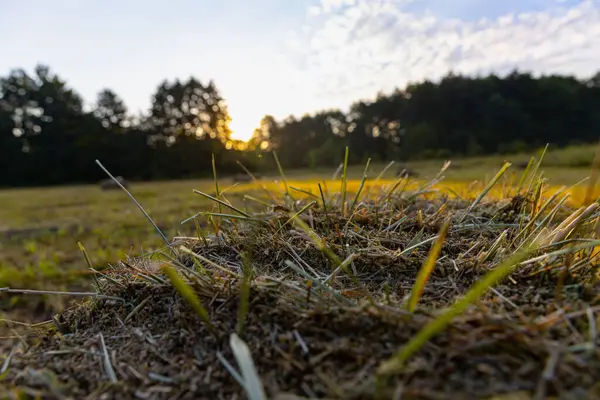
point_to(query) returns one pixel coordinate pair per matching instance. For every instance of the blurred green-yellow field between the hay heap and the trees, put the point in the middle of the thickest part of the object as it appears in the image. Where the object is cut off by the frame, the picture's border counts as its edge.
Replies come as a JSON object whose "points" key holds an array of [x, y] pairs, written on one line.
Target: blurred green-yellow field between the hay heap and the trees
{"points": [[40, 227]]}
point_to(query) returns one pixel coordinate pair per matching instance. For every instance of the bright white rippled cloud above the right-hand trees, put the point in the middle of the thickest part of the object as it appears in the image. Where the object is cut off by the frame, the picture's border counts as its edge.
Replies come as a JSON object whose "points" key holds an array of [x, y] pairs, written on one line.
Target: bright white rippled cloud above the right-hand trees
{"points": [[357, 48]]}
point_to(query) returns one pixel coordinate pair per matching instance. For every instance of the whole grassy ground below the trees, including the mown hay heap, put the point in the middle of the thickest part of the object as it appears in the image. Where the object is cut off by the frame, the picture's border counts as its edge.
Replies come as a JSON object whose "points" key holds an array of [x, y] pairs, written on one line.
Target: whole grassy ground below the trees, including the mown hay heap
{"points": [[330, 278]]}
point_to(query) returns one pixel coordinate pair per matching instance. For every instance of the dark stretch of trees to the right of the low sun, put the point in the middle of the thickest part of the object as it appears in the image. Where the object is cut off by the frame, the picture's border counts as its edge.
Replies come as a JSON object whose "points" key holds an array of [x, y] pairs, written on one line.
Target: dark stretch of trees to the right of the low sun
{"points": [[458, 116]]}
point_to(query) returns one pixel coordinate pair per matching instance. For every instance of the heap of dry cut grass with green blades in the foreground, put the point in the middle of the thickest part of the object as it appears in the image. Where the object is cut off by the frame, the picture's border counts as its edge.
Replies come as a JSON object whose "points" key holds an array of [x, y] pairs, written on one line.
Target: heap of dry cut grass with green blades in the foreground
{"points": [[379, 291]]}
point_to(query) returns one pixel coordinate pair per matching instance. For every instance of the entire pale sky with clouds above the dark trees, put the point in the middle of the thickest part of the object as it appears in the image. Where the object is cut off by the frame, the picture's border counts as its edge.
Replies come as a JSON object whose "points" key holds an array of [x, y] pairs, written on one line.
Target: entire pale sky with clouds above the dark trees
{"points": [[283, 57]]}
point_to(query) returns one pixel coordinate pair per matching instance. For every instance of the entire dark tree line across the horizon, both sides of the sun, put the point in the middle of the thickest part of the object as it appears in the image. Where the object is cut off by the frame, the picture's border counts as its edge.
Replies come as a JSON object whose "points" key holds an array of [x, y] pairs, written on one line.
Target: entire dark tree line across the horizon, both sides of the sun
{"points": [[48, 136]]}
